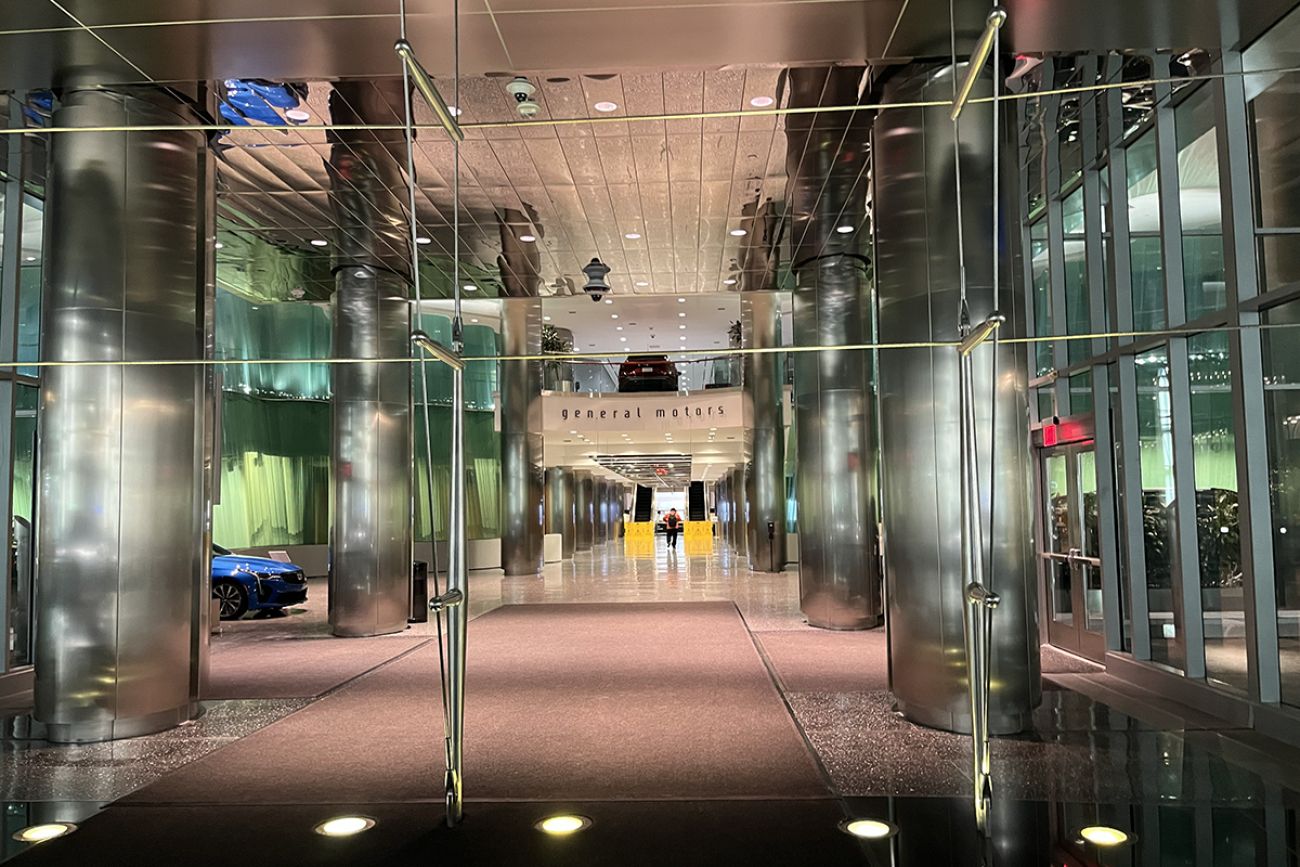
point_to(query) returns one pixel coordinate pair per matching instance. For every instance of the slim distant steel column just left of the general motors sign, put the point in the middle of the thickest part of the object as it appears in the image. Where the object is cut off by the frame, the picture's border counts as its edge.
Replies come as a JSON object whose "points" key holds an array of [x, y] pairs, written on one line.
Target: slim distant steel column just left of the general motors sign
{"points": [[522, 475]]}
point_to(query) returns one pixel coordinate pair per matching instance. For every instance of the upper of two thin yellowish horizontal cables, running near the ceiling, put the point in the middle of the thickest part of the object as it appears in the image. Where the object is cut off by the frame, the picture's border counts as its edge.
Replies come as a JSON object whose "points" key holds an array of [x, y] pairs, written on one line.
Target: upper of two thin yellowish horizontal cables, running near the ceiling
{"points": [[651, 119]]}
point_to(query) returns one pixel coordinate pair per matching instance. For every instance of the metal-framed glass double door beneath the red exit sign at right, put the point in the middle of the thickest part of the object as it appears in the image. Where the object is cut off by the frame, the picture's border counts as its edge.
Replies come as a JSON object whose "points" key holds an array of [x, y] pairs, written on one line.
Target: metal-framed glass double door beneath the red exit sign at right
{"points": [[1071, 550]]}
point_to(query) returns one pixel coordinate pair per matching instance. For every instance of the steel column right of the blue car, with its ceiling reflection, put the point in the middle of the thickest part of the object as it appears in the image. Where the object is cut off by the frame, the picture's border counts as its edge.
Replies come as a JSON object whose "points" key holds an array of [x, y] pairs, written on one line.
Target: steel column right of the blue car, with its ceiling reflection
{"points": [[371, 536]]}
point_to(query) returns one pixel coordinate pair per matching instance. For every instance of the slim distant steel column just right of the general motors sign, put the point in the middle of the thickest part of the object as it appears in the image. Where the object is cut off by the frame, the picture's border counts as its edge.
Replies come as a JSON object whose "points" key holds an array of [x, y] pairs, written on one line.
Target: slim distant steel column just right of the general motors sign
{"points": [[766, 433]]}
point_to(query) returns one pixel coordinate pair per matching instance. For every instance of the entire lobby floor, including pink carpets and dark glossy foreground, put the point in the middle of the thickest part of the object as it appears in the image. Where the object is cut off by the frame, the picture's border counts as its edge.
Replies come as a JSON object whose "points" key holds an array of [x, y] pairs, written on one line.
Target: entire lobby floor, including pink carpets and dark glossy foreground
{"points": [[774, 735]]}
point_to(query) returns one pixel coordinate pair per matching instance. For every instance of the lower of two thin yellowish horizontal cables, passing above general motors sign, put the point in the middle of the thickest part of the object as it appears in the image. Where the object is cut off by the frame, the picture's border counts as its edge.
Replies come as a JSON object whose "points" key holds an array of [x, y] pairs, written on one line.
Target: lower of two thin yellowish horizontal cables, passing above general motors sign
{"points": [[674, 354]]}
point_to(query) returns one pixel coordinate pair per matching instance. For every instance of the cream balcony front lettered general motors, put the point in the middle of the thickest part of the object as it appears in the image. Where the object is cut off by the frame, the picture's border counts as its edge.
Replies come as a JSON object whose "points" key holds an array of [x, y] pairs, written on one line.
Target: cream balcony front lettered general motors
{"points": [[642, 411]]}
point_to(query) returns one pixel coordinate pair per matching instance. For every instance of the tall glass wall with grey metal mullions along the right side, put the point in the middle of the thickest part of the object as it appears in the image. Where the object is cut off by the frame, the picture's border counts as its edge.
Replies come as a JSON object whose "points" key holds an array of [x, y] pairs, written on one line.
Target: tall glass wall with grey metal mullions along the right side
{"points": [[1172, 211]]}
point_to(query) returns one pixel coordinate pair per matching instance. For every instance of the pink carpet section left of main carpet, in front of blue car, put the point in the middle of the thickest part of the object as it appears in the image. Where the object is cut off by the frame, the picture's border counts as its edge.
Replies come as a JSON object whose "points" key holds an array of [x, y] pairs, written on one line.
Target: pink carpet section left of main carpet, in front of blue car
{"points": [[296, 669]]}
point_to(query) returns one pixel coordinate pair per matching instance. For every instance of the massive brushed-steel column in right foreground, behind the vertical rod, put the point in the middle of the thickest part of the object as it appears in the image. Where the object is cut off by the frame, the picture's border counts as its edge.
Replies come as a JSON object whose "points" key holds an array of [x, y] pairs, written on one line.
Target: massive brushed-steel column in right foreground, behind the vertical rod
{"points": [[917, 281]]}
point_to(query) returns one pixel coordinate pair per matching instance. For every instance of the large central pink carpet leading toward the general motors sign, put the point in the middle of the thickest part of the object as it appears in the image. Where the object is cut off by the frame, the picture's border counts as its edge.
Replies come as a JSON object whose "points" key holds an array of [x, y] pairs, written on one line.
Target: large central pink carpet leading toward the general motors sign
{"points": [[565, 703]]}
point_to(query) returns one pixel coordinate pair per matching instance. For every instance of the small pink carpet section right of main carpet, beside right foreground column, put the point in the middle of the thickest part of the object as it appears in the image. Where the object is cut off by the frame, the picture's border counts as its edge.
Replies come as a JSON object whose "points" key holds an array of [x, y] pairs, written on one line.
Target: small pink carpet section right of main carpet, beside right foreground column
{"points": [[821, 661]]}
